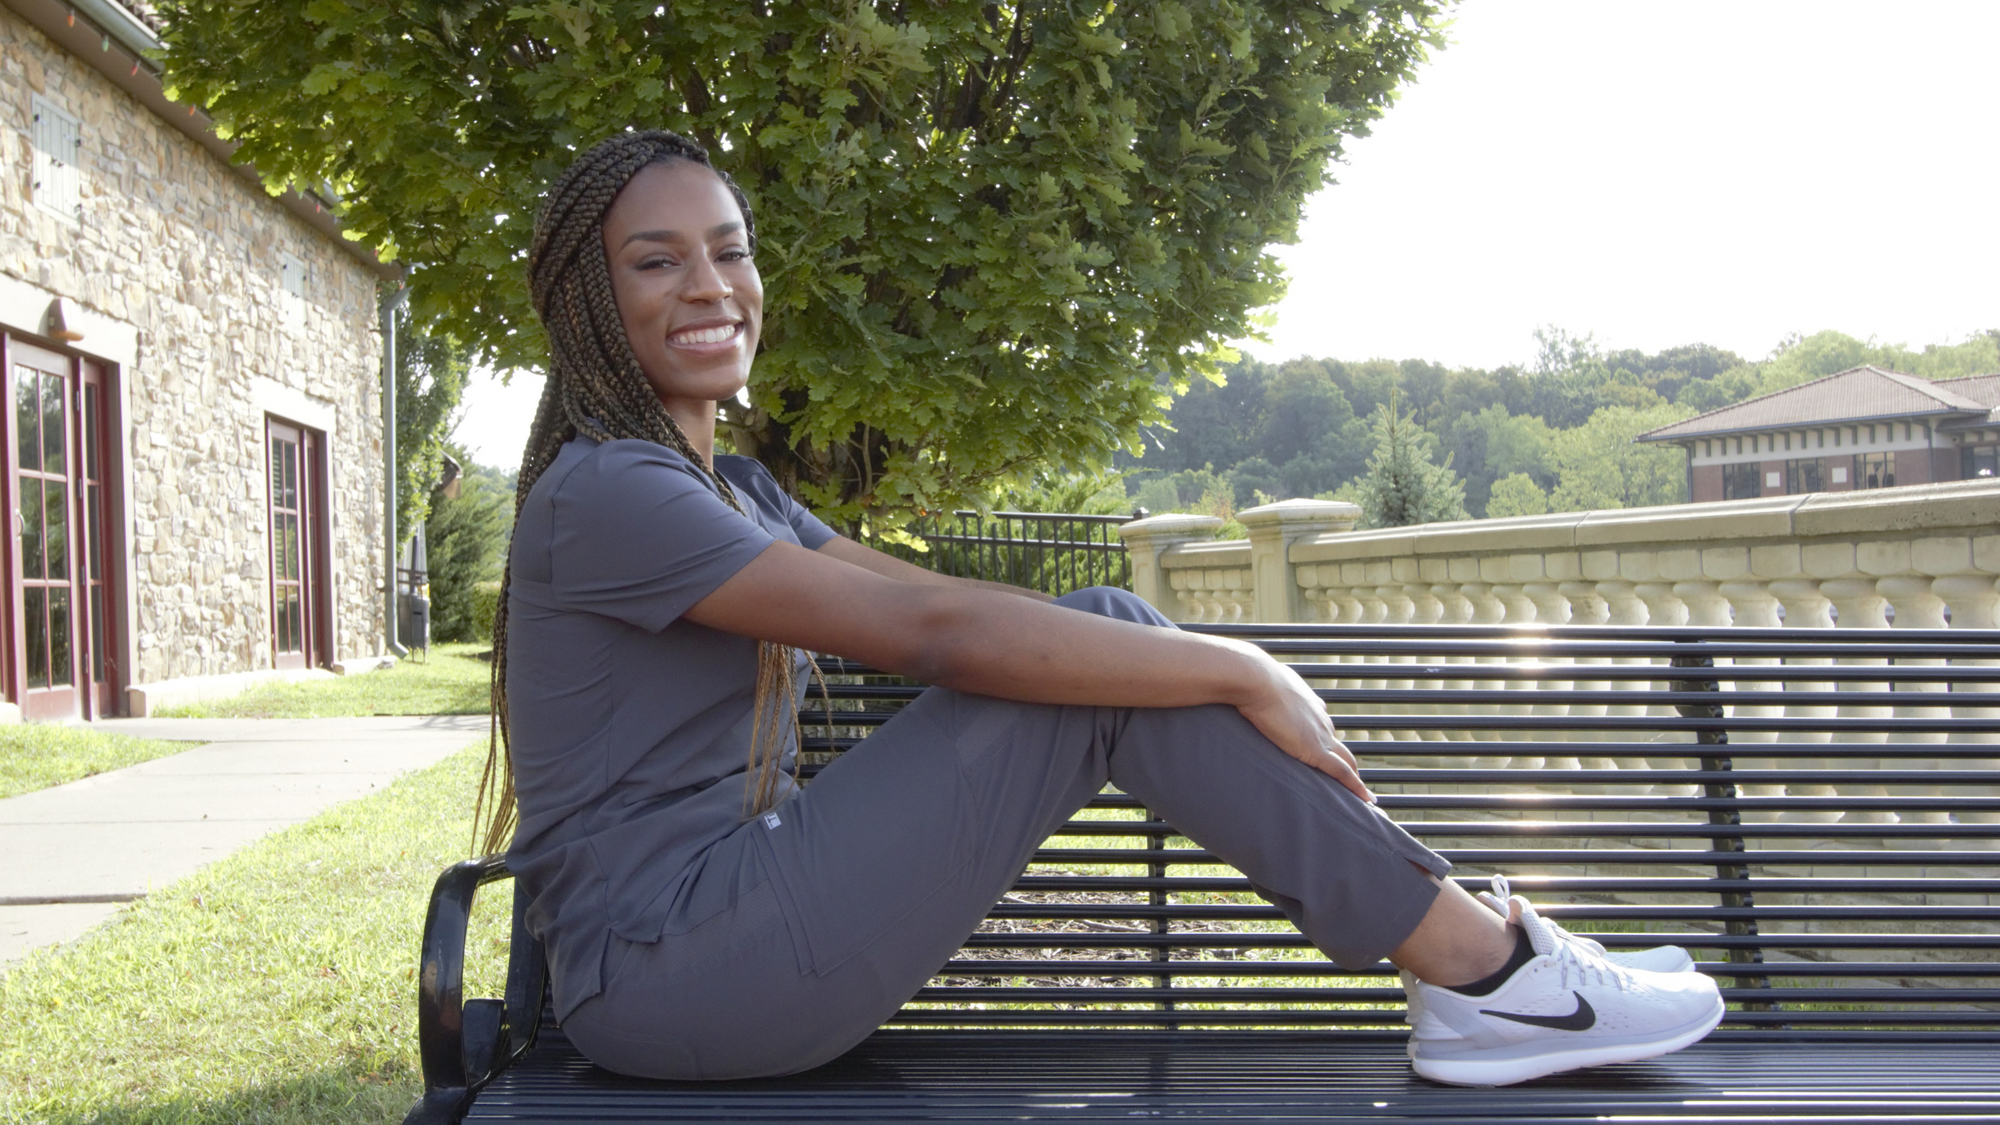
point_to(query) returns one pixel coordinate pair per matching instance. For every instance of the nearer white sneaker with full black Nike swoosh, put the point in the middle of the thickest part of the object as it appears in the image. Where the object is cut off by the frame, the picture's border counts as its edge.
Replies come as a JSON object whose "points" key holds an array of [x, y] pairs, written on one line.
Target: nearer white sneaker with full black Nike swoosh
{"points": [[1563, 1010]]}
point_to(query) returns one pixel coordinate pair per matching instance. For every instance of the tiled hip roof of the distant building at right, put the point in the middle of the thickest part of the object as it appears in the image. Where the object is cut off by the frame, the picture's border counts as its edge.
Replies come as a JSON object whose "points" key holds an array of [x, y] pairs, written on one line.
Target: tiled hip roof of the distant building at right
{"points": [[1853, 395]]}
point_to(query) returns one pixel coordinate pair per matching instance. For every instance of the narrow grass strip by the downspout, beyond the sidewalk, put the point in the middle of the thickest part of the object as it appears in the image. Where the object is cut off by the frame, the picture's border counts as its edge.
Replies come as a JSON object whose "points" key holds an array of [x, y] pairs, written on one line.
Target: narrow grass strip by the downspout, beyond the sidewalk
{"points": [[451, 680]]}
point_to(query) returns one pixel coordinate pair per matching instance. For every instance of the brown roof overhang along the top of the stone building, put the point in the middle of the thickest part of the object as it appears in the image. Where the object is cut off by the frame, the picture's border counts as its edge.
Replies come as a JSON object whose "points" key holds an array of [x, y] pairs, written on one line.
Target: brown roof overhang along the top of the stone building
{"points": [[113, 43]]}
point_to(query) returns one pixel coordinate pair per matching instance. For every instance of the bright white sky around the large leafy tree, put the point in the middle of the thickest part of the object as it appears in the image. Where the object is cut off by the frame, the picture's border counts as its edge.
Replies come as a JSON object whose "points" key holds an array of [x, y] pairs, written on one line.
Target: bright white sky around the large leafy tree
{"points": [[1653, 173]]}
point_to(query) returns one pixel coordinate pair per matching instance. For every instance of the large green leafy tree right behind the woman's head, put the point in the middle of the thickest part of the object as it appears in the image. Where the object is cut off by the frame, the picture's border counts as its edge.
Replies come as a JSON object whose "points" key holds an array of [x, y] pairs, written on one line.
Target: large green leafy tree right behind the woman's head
{"points": [[995, 235]]}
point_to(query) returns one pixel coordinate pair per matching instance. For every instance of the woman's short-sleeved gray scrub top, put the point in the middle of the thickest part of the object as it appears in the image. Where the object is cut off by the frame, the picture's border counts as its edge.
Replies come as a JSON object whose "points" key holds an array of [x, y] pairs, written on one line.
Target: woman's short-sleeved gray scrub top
{"points": [[629, 726]]}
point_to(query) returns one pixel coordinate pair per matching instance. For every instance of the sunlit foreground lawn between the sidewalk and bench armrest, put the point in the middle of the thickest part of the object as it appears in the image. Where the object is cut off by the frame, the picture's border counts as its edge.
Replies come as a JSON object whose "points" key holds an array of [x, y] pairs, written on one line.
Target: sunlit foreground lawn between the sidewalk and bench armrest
{"points": [[277, 986]]}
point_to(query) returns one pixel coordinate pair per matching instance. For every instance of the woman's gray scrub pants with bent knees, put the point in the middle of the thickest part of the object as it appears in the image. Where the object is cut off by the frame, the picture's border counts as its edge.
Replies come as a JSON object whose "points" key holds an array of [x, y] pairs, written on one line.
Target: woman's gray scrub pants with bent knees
{"points": [[831, 912]]}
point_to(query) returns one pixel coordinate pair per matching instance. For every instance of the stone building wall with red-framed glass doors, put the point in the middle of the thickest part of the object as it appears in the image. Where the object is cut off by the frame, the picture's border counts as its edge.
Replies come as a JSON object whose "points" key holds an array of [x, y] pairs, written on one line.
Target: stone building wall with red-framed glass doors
{"points": [[193, 393]]}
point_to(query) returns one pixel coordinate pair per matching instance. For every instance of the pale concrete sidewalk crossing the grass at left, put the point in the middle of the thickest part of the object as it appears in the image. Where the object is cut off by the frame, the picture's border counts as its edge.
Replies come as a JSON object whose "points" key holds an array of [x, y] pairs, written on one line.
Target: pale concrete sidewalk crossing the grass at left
{"points": [[77, 852]]}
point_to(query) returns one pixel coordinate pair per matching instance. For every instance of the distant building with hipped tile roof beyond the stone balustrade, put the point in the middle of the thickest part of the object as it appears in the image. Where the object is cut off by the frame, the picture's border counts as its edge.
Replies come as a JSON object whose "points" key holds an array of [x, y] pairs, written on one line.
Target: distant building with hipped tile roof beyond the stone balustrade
{"points": [[1859, 429]]}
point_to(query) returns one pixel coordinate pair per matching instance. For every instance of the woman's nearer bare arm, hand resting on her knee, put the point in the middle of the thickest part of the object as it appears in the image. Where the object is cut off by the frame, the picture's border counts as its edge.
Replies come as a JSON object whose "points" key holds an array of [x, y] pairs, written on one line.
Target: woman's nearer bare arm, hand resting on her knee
{"points": [[1001, 646]]}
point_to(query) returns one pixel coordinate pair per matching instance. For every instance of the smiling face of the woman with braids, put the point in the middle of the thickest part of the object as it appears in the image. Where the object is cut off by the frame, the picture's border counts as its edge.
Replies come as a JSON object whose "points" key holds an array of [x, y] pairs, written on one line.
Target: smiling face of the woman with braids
{"points": [[687, 289]]}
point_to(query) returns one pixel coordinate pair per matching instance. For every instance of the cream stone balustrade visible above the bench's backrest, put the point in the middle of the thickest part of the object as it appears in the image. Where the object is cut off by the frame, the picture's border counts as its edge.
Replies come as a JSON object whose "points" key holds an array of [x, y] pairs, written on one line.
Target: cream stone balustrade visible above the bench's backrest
{"points": [[1919, 549]]}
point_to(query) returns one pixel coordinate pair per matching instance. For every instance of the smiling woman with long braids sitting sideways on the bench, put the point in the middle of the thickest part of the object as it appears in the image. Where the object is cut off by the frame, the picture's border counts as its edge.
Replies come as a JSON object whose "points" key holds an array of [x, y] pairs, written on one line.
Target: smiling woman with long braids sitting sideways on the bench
{"points": [[705, 918]]}
